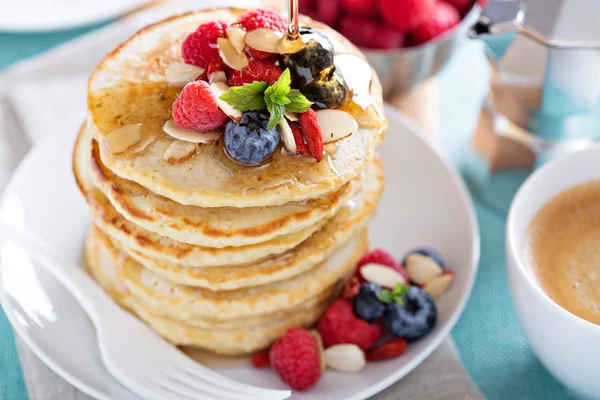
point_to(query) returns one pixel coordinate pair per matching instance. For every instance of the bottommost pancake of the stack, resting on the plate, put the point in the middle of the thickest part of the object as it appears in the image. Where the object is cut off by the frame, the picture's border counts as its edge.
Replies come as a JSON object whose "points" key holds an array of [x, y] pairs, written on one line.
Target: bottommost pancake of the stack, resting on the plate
{"points": [[239, 340]]}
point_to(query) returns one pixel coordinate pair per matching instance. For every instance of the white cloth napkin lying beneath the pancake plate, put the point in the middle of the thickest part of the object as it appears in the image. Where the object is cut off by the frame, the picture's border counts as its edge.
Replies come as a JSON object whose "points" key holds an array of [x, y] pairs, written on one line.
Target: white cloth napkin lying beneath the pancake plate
{"points": [[47, 92]]}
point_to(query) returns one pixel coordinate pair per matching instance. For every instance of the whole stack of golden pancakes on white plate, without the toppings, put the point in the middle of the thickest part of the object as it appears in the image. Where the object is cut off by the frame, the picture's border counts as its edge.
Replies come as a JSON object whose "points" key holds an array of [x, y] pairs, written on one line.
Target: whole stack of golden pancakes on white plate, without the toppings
{"points": [[210, 253]]}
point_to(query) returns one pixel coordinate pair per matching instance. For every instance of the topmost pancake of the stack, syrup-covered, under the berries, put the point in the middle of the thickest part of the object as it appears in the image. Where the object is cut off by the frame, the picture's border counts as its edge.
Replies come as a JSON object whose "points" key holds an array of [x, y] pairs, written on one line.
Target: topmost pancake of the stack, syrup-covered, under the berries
{"points": [[128, 87]]}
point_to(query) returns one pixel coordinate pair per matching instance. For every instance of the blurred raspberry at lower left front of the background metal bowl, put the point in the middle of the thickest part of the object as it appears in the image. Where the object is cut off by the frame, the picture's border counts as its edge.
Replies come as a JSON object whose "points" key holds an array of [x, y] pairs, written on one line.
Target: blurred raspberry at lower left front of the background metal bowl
{"points": [[366, 33]]}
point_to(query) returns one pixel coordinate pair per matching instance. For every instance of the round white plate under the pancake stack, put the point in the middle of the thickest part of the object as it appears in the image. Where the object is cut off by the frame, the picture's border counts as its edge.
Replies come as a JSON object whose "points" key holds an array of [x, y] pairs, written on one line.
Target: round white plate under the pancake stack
{"points": [[424, 203]]}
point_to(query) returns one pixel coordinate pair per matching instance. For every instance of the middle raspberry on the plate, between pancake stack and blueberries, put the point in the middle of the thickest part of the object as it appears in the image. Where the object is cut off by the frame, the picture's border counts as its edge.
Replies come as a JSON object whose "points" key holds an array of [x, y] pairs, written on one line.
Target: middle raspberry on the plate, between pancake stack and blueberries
{"points": [[340, 325]]}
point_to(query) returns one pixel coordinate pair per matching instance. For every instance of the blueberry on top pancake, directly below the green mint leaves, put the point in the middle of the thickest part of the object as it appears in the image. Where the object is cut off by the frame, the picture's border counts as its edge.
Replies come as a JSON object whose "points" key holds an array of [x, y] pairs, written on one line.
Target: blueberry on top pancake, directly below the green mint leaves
{"points": [[249, 141]]}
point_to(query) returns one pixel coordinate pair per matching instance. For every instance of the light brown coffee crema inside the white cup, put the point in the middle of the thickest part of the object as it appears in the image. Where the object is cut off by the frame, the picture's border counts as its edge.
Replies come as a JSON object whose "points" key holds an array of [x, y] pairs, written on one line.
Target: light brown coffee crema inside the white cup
{"points": [[563, 245]]}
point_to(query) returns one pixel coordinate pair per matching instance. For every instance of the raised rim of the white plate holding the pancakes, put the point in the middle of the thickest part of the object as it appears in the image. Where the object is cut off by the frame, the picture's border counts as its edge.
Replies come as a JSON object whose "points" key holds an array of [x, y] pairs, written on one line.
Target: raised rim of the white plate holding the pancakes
{"points": [[463, 193]]}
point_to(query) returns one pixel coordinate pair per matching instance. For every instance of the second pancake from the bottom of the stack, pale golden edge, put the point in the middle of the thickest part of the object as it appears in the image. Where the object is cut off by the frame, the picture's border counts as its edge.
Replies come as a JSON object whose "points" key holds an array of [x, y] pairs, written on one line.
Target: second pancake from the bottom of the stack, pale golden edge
{"points": [[203, 308]]}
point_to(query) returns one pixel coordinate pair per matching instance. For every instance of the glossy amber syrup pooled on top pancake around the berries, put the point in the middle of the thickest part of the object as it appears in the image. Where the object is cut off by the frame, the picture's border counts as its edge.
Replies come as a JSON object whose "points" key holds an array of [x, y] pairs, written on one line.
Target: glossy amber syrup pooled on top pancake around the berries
{"points": [[118, 106]]}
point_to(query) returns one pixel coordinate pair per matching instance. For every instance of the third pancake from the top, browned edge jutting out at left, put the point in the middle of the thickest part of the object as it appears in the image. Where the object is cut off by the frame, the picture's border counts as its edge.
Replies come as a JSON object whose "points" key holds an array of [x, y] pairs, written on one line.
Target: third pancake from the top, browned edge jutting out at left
{"points": [[156, 246]]}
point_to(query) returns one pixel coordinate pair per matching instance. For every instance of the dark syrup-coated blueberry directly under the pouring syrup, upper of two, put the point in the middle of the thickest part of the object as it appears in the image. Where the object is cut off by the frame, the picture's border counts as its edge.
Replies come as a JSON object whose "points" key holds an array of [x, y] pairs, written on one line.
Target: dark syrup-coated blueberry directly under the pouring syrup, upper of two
{"points": [[315, 57]]}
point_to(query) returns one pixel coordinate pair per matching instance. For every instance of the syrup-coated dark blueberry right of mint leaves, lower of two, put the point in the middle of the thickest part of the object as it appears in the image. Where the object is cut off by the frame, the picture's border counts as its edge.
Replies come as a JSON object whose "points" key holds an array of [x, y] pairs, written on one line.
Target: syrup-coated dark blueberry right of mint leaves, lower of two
{"points": [[327, 92]]}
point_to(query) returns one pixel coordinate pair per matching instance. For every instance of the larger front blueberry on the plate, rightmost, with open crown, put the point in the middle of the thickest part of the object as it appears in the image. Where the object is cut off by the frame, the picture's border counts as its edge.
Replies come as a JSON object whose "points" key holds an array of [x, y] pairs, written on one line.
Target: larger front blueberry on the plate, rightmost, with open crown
{"points": [[415, 318]]}
